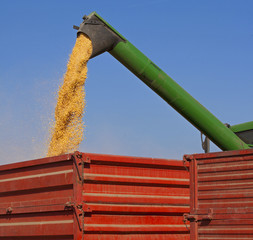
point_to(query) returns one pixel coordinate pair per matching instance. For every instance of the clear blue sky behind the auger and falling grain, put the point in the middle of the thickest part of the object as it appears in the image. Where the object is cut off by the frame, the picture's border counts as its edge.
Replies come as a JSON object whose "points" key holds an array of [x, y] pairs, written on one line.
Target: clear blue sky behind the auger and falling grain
{"points": [[205, 46]]}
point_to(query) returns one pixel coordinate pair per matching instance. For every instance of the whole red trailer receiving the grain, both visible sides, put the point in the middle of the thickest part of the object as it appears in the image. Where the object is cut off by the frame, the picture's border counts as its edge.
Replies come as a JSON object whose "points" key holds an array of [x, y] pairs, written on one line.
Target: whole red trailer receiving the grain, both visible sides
{"points": [[92, 196]]}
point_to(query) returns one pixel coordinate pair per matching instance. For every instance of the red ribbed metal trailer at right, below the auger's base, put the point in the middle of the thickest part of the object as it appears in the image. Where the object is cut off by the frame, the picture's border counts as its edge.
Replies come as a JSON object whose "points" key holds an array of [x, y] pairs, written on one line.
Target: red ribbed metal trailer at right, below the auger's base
{"points": [[221, 193]]}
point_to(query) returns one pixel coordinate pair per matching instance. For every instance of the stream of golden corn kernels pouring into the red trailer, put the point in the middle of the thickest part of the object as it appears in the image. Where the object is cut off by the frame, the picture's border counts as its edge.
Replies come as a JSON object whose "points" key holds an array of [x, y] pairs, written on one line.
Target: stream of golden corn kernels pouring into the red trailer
{"points": [[67, 131]]}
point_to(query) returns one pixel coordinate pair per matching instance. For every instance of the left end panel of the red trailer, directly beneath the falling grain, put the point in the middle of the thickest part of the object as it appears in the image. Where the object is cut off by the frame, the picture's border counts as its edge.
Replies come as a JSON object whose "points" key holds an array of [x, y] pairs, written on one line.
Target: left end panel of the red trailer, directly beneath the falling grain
{"points": [[32, 199]]}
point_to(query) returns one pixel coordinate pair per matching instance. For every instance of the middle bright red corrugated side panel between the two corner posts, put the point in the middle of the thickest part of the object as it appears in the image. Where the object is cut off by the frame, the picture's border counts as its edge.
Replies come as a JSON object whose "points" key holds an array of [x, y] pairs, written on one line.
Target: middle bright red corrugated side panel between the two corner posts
{"points": [[135, 198]]}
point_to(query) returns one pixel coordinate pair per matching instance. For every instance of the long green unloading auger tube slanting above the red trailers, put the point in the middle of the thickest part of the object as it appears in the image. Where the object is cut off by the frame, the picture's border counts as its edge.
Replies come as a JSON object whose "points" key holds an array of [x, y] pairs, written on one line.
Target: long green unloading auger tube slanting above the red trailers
{"points": [[165, 86]]}
